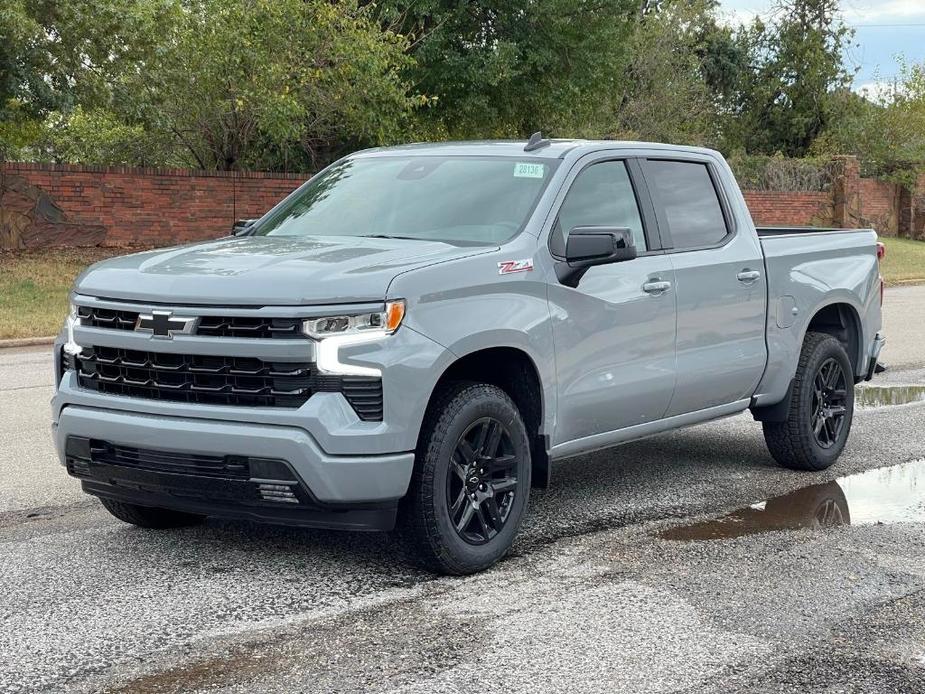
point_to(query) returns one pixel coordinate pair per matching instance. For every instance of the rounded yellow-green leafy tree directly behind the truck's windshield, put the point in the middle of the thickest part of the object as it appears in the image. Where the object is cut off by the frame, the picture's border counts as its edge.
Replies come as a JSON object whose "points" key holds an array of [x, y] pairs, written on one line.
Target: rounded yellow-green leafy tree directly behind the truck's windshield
{"points": [[271, 83]]}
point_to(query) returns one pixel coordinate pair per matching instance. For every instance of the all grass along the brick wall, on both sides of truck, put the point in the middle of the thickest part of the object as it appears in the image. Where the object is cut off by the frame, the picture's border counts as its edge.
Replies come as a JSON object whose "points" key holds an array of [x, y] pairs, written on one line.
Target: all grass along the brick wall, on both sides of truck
{"points": [[34, 285]]}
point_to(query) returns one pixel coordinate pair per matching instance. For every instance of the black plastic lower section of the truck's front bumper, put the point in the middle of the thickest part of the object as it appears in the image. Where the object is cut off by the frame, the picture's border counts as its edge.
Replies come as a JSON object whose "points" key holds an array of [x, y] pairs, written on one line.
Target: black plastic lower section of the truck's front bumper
{"points": [[203, 487]]}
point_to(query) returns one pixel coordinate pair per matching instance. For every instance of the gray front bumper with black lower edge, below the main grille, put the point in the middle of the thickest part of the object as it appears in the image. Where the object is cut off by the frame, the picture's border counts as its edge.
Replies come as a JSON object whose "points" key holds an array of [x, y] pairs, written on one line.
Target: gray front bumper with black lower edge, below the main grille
{"points": [[331, 485]]}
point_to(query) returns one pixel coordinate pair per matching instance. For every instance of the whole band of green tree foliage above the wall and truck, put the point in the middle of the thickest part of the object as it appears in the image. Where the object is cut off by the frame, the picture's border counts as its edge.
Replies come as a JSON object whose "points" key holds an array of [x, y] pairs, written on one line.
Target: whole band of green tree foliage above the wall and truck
{"points": [[292, 84]]}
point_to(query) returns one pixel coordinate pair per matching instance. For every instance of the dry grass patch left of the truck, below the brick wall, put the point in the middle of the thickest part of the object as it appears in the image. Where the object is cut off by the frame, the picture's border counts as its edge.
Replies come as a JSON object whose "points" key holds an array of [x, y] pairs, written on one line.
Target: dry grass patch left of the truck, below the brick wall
{"points": [[34, 287]]}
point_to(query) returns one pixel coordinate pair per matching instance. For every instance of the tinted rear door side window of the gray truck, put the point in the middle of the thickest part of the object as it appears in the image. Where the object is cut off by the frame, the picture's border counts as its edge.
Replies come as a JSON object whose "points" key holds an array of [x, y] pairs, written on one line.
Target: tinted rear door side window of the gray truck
{"points": [[685, 191]]}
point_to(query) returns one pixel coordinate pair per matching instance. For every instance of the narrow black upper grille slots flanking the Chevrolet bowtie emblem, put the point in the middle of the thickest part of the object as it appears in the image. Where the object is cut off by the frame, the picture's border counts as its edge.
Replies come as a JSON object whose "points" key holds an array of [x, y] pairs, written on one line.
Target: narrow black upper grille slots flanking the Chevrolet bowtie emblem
{"points": [[209, 326]]}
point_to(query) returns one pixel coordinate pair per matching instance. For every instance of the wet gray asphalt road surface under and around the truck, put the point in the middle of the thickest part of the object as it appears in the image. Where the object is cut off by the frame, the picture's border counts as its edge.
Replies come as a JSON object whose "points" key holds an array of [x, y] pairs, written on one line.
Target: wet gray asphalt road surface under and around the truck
{"points": [[591, 600]]}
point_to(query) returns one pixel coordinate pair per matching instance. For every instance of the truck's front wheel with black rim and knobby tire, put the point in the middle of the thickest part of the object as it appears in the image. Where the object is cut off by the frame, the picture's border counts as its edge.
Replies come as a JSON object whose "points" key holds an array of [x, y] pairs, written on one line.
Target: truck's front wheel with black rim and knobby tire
{"points": [[442, 469]]}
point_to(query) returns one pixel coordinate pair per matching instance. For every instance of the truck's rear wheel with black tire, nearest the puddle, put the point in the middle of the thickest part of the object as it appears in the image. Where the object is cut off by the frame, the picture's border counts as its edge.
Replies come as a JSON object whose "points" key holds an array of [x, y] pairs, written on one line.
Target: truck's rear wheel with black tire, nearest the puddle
{"points": [[795, 443]]}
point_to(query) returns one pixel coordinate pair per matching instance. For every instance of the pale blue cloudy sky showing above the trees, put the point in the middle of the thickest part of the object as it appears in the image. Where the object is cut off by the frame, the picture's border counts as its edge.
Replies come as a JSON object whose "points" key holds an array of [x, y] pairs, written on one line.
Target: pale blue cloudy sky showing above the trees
{"points": [[883, 29]]}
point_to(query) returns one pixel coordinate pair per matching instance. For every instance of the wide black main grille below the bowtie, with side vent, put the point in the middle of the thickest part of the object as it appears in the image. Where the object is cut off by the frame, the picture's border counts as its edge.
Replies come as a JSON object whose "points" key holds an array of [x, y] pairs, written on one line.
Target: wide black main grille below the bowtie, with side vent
{"points": [[220, 380]]}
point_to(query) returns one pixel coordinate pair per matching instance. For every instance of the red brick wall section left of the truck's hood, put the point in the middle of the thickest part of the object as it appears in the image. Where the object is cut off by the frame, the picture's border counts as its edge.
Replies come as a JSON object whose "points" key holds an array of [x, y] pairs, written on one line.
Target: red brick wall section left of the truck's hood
{"points": [[43, 204]]}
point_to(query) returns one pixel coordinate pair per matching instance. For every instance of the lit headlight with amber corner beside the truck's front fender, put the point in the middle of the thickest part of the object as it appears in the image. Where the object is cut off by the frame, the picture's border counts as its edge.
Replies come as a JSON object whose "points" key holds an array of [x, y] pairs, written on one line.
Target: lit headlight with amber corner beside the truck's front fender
{"points": [[334, 332]]}
